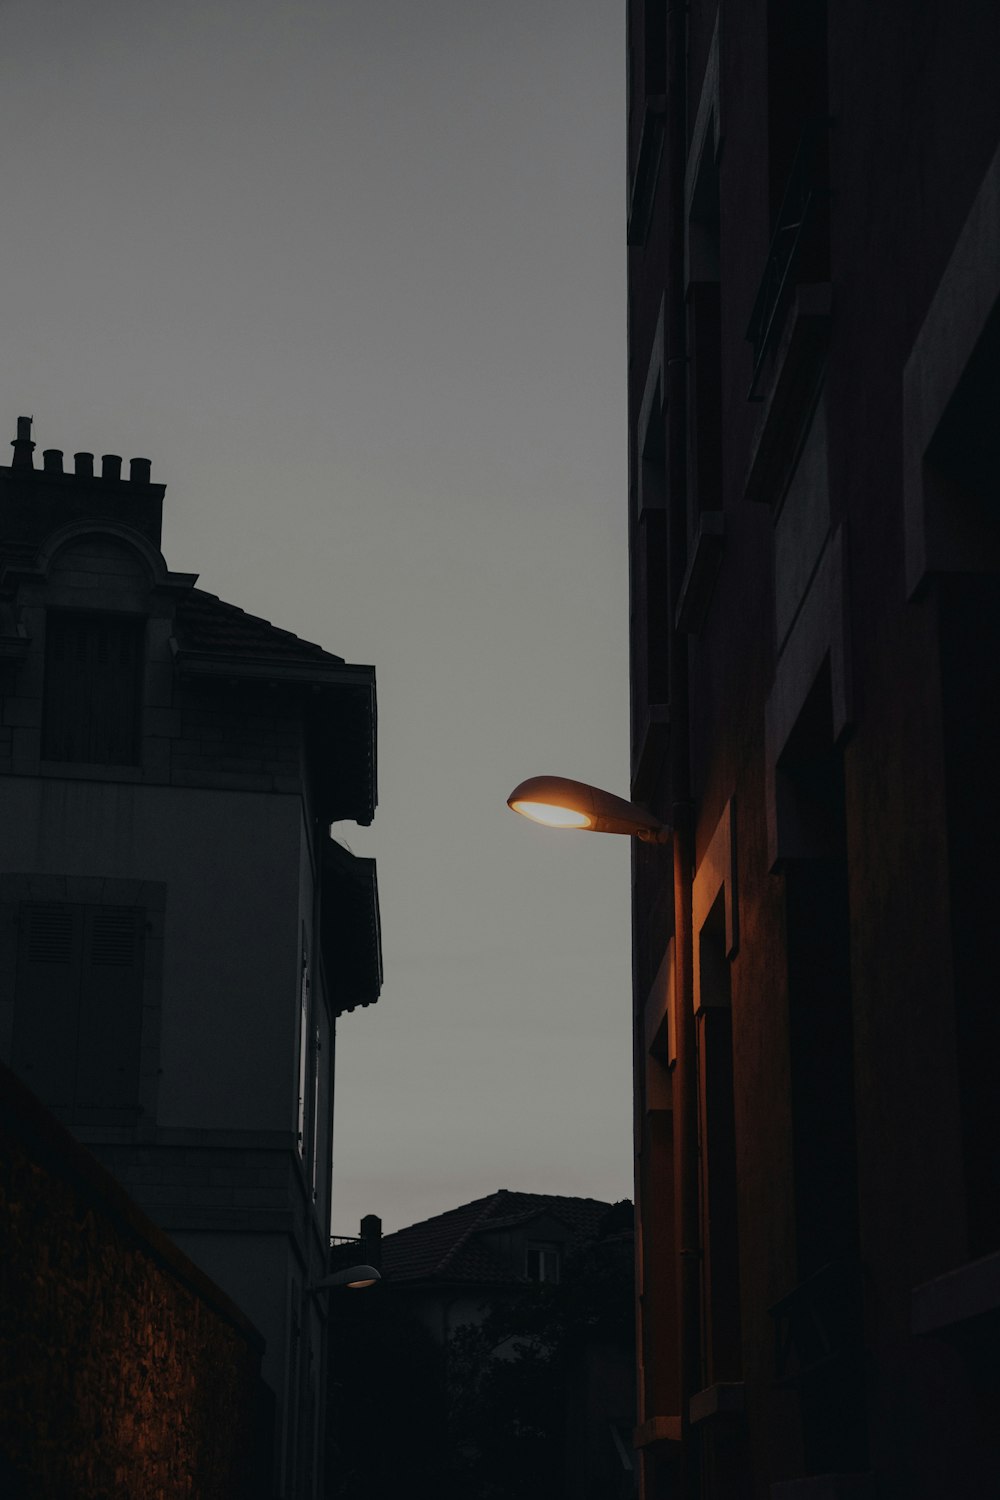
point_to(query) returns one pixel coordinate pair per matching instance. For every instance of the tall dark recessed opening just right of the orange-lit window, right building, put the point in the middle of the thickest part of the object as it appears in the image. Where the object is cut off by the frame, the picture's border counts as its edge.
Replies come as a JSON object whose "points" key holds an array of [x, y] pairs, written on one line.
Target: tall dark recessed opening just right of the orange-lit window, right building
{"points": [[827, 1319]]}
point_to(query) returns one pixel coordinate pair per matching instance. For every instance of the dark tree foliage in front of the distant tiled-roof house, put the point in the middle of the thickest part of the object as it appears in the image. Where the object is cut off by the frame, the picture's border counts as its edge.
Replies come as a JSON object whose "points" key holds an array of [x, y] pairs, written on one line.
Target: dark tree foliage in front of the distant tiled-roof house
{"points": [[488, 1421]]}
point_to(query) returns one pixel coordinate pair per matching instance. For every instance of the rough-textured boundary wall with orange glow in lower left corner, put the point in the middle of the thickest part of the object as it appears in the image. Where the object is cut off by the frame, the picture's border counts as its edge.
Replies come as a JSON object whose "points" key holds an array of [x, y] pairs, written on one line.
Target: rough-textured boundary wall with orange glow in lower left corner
{"points": [[124, 1370]]}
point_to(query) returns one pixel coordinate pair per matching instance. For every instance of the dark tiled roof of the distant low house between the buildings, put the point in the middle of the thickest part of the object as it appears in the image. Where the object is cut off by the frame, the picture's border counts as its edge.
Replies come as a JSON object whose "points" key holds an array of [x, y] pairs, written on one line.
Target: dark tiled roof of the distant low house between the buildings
{"points": [[449, 1247]]}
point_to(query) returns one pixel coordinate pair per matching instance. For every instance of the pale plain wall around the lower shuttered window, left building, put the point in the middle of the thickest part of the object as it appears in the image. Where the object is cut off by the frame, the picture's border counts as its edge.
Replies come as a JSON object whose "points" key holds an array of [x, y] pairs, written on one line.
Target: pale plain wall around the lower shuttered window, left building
{"points": [[230, 868]]}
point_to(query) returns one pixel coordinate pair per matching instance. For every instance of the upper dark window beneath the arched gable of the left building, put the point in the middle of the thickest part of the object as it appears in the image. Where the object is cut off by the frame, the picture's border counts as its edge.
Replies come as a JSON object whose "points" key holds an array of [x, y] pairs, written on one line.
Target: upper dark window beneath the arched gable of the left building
{"points": [[94, 674]]}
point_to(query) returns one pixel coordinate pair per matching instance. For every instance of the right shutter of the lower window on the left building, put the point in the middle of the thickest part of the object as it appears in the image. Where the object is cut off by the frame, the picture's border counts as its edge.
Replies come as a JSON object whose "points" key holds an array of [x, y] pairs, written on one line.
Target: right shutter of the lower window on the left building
{"points": [[110, 1012]]}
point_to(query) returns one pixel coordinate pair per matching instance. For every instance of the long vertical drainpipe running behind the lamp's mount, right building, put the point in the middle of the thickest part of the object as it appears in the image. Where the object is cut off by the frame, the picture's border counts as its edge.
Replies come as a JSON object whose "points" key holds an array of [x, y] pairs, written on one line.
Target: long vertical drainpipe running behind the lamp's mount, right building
{"points": [[686, 1073]]}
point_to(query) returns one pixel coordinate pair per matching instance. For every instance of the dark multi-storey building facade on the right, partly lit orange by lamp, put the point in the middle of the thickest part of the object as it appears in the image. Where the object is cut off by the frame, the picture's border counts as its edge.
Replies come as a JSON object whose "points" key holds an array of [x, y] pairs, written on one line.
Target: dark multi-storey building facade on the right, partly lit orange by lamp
{"points": [[815, 548]]}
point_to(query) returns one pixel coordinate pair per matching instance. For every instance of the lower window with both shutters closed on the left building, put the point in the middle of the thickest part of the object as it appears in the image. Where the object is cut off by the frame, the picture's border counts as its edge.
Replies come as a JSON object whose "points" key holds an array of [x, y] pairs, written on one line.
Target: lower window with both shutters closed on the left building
{"points": [[79, 1009]]}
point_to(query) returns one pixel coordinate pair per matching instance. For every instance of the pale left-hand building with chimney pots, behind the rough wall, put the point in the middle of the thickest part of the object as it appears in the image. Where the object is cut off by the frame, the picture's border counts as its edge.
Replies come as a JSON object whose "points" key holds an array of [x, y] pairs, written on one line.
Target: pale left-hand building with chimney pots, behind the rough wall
{"points": [[179, 929]]}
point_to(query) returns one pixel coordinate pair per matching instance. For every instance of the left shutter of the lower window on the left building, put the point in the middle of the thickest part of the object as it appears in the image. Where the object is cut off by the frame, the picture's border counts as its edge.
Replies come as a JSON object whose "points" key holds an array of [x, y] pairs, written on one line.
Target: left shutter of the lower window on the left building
{"points": [[47, 1006]]}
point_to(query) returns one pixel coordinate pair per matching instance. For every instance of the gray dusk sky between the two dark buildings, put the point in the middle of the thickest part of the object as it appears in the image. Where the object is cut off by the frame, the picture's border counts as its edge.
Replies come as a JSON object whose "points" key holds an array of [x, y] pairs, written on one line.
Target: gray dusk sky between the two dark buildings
{"points": [[353, 277]]}
